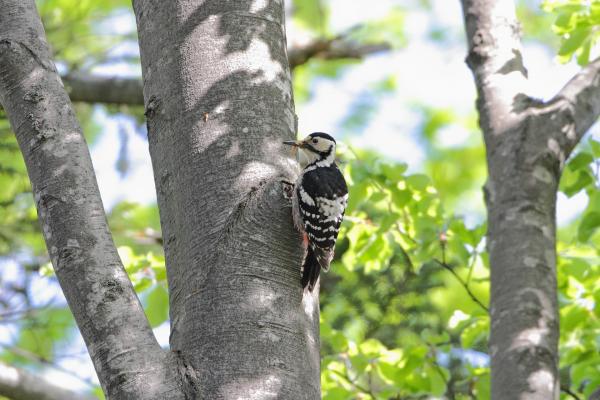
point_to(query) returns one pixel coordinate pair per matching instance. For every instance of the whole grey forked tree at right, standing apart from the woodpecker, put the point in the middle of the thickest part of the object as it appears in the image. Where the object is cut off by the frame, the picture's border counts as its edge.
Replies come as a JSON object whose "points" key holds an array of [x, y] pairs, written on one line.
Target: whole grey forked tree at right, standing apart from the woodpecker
{"points": [[527, 142]]}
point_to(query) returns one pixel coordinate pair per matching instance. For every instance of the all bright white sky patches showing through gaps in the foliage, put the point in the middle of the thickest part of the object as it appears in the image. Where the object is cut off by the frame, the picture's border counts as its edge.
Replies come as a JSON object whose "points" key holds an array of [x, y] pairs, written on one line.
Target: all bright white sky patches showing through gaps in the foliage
{"points": [[425, 72]]}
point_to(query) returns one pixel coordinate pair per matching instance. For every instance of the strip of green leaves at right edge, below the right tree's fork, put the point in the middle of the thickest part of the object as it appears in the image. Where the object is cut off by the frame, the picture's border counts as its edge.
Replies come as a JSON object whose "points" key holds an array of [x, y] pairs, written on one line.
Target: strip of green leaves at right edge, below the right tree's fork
{"points": [[579, 274]]}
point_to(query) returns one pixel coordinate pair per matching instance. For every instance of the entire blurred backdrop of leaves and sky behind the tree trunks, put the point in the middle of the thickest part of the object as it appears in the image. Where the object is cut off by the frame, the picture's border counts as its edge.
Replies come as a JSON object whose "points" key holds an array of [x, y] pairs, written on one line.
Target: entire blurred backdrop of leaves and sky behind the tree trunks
{"points": [[404, 309]]}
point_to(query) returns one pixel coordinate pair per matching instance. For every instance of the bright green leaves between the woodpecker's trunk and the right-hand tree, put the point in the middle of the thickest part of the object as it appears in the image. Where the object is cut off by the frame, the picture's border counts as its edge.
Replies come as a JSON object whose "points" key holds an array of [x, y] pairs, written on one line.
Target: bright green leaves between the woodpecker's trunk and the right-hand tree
{"points": [[388, 327]]}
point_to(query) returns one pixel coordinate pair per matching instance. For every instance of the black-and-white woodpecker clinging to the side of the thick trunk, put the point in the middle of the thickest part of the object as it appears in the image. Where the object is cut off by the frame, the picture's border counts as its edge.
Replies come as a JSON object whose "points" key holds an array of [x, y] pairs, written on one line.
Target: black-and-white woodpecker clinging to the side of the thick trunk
{"points": [[319, 200]]}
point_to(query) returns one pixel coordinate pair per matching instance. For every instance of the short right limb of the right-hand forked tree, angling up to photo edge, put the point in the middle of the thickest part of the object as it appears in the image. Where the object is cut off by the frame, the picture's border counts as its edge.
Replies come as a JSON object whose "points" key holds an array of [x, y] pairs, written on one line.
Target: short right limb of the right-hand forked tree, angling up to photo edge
{"points": [[582, 97]]}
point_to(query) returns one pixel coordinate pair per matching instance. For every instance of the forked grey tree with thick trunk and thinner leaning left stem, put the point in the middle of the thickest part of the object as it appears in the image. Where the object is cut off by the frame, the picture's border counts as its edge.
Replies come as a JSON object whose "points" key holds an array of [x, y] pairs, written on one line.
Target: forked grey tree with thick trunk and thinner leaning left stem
{"points": [[218, 100]]}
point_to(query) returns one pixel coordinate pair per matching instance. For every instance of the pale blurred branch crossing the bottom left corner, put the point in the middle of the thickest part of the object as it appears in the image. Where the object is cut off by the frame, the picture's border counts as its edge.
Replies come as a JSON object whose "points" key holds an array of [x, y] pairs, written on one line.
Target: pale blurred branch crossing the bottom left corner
{"points": [[18, 384]]}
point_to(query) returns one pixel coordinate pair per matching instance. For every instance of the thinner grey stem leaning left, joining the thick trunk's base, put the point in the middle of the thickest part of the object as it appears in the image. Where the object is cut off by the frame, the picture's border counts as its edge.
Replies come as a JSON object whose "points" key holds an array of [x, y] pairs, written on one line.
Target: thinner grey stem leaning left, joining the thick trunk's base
{"points": [[127, 358]]}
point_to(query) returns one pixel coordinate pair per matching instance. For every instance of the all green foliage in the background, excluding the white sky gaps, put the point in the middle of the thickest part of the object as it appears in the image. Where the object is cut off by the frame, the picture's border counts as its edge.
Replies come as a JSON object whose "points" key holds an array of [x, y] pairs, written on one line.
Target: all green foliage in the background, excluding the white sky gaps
{"points": [[397, 316]]}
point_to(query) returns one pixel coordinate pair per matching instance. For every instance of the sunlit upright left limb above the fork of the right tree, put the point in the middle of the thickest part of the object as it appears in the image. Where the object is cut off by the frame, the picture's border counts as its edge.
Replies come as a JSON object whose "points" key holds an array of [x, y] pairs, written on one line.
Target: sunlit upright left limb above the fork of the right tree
{"points": [[494, 56]]}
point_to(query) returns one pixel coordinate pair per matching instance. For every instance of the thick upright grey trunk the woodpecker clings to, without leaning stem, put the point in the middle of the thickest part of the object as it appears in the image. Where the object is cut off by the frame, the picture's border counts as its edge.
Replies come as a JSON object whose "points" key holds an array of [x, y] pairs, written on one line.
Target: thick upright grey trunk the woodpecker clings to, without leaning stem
{"points": [[218, 101]]}
